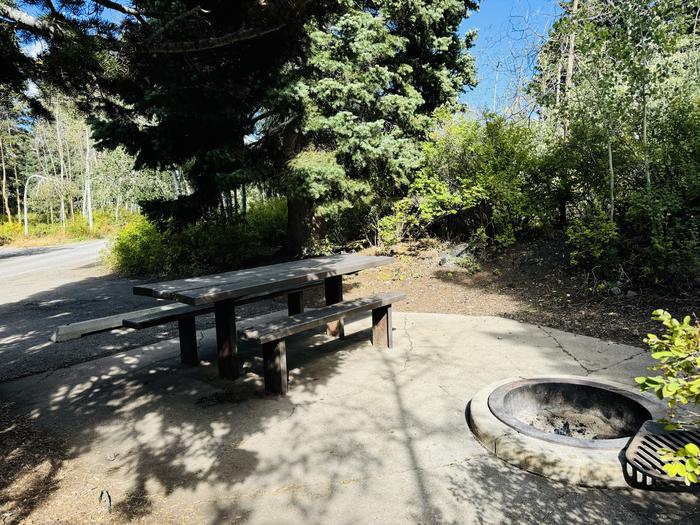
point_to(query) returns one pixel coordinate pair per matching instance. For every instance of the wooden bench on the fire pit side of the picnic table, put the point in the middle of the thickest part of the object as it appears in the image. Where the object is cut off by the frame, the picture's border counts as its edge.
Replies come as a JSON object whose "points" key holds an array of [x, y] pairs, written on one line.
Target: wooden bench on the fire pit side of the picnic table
{"points": [[272, 336]]}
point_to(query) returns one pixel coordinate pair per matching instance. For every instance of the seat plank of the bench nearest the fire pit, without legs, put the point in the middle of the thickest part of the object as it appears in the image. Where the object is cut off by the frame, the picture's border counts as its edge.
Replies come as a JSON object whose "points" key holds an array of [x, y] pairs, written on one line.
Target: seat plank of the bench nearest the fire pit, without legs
{"points": [[314, 318]]}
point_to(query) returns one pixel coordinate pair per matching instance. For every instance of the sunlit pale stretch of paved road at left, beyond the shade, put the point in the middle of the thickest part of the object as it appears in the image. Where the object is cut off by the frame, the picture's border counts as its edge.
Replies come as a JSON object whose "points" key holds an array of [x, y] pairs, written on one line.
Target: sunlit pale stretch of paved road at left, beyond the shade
{"points": [[15, 262]]}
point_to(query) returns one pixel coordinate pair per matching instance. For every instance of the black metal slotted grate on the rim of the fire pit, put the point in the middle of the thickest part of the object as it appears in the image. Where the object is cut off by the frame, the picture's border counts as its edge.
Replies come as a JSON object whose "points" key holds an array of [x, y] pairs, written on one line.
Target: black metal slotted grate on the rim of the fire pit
{"points": [[644, 467]]}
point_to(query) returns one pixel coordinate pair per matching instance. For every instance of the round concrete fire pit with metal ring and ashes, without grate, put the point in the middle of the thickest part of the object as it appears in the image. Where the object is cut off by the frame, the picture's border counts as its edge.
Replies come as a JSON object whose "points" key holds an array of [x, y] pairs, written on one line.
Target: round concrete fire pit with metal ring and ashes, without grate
{"points": [[566, 428]]}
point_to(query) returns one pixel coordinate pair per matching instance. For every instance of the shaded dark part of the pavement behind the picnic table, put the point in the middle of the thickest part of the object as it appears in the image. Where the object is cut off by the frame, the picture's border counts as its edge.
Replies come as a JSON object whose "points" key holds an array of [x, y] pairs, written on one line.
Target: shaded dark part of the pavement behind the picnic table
{"points": [[26, 326]]}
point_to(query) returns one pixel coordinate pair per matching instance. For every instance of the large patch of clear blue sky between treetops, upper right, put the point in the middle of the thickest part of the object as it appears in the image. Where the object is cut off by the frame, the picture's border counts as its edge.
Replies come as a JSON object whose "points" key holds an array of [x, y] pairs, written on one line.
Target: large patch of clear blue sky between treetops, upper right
{"points": [[508, 31]]}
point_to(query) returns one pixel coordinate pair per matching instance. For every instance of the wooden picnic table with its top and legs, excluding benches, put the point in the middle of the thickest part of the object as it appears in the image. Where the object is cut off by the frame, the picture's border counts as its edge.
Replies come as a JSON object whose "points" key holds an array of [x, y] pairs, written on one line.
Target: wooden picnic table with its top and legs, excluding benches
{"points": [[223, 290]]}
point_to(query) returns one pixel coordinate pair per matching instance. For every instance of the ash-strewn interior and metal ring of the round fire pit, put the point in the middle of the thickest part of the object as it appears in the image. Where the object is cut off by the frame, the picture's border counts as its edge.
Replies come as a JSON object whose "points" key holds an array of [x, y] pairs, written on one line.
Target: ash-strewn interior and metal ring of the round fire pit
{"points": [[575, 412]]}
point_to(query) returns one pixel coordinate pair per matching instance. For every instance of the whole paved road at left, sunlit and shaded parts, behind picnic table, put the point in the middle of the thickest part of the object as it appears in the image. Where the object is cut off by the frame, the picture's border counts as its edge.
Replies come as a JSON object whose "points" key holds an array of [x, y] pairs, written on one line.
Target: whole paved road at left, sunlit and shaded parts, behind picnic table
{"points": [[42, 288]]}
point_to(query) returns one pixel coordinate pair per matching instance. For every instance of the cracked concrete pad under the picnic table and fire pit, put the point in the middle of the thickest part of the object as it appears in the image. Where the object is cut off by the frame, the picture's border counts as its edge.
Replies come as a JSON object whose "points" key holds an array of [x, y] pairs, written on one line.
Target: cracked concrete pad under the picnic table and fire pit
{"points": [[364, 436]]}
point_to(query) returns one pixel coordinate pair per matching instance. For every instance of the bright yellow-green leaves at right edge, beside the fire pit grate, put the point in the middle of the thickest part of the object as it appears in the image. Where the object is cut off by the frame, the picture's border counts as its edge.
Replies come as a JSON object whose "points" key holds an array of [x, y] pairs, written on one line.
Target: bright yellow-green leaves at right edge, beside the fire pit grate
{"points": [[677, 351]]}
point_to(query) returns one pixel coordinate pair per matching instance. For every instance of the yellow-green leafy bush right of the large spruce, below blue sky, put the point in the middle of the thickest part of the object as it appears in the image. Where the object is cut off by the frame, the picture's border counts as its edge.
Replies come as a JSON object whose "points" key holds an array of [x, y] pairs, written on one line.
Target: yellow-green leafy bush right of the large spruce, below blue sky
{"points": [[472, 178]]}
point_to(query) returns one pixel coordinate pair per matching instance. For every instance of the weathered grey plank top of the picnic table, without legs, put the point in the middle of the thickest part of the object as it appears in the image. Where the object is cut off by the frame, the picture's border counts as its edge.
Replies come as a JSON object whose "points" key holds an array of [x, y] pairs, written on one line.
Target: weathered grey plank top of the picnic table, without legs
{"points": [[240, 283]]}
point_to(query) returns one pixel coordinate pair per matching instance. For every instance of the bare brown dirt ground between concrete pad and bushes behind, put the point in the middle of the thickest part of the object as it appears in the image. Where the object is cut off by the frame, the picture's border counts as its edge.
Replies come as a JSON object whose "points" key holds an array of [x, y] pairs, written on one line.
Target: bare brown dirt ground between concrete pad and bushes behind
{"points": [[530, 282]]}
